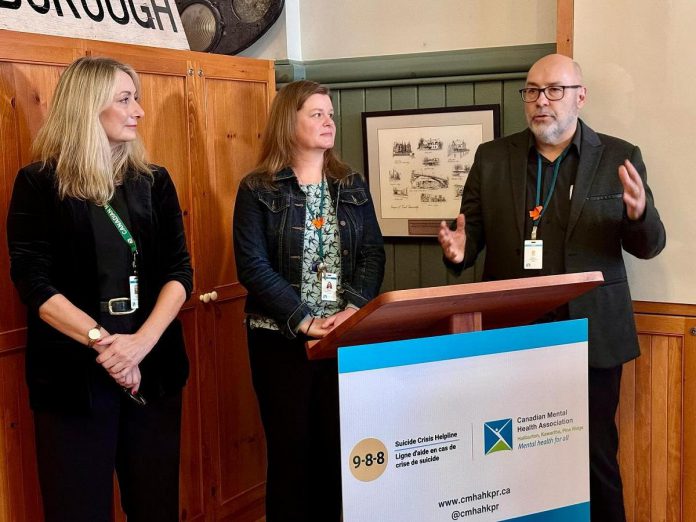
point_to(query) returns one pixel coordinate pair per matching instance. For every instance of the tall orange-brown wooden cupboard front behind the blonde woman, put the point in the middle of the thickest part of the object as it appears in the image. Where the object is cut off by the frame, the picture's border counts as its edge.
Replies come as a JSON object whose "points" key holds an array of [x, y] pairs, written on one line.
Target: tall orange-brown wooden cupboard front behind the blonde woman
{"points": [[204, 115]]}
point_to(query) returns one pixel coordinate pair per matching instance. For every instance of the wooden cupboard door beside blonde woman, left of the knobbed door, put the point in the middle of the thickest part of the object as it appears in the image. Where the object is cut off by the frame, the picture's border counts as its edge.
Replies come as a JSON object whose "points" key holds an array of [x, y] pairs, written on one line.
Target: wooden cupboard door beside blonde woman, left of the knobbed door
{"points": [[166, 78]]}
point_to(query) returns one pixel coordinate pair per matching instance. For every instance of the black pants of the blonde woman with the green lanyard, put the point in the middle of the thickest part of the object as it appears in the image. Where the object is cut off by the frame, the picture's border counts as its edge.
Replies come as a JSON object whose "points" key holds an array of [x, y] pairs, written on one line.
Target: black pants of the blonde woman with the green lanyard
{"points": [[77, 455]]}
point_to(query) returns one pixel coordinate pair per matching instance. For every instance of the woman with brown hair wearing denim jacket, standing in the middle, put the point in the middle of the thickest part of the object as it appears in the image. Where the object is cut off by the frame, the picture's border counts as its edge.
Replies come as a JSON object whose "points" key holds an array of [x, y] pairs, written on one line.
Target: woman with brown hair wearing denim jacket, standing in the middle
{"points": [[310, 253]]}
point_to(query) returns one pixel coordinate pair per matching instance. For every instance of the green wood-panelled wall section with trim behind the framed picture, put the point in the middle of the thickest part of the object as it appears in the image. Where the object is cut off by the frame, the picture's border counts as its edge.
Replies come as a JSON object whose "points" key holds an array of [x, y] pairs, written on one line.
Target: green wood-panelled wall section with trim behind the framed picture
{"points": [[471, 77]]}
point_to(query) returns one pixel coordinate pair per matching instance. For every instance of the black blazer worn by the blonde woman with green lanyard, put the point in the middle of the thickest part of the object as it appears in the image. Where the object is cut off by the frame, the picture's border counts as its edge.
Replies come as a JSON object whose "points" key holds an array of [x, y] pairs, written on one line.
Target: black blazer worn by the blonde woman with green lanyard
{"points": [[52, 251]]}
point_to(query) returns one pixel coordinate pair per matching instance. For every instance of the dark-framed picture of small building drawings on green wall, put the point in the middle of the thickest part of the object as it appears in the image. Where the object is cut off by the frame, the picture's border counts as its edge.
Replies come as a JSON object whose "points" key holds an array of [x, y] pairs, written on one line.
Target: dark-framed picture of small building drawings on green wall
{"points": [[417, 161]]}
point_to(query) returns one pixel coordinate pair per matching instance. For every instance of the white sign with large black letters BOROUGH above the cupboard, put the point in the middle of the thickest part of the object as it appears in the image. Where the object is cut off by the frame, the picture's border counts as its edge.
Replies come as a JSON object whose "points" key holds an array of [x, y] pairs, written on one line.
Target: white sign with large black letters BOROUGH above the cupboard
{"points": [[144, 22]]}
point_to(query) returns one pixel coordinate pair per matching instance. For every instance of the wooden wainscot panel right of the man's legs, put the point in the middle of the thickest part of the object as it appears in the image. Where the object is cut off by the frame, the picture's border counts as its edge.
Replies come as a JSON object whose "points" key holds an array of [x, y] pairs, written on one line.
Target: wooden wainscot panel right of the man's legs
{"points": [[653, 420]]}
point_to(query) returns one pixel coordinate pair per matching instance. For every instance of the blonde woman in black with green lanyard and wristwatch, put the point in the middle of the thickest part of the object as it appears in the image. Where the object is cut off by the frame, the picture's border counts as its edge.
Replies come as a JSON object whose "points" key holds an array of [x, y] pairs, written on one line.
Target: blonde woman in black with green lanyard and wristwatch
{"points": [[99, 257]]}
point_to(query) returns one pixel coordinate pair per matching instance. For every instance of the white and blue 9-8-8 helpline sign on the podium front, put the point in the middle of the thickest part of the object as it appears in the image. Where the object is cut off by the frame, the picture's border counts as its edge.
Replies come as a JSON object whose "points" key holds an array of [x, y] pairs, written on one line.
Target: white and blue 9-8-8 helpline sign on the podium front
{"points": [[484, 426]]}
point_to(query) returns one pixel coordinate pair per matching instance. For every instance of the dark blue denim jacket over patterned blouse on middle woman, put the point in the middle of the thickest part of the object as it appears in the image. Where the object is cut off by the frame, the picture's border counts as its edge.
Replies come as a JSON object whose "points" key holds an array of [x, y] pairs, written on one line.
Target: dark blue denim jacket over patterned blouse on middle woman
{"points": [[269, 240]]}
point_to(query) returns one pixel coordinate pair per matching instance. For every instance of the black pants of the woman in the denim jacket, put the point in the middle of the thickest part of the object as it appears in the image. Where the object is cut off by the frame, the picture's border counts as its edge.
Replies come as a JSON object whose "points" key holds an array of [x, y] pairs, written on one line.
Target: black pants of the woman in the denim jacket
{"points": [[298, 400]]}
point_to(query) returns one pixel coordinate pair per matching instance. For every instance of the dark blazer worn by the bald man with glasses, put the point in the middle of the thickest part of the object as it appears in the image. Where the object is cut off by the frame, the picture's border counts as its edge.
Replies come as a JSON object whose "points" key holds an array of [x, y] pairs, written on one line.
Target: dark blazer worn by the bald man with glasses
{"points": [[598, 229]]}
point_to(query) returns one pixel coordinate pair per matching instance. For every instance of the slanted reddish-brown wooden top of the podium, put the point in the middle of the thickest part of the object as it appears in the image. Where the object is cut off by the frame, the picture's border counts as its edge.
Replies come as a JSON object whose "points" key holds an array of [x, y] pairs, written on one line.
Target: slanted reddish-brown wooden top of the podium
{"points": [[440, 310]]}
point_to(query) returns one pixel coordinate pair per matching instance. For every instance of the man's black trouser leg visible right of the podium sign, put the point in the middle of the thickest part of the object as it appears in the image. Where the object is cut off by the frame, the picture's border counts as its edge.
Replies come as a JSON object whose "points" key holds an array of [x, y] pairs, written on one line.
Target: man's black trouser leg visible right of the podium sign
{"points": [[606, 492]]}
